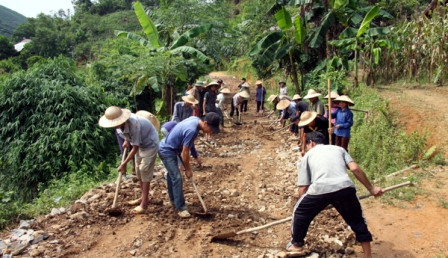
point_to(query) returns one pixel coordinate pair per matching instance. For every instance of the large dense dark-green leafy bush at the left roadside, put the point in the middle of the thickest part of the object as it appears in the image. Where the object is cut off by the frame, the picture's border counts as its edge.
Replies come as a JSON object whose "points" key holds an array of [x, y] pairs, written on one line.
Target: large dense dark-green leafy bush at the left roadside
{"points": [[49, 127]]}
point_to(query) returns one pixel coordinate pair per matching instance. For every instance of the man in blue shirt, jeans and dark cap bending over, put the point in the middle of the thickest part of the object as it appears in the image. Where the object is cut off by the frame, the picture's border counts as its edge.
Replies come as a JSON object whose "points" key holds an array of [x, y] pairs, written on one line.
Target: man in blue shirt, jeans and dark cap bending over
{"points": [[179, 142]]}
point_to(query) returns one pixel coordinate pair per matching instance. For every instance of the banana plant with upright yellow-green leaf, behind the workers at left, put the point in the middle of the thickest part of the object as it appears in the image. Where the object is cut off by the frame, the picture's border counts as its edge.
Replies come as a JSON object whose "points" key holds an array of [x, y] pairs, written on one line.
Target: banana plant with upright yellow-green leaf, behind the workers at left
{"points": [[154, 44]]}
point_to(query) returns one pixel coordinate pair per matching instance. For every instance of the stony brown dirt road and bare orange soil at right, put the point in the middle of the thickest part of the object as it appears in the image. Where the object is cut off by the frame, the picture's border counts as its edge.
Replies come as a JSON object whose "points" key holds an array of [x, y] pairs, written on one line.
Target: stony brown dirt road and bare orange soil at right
{"points": [[247, 180]]}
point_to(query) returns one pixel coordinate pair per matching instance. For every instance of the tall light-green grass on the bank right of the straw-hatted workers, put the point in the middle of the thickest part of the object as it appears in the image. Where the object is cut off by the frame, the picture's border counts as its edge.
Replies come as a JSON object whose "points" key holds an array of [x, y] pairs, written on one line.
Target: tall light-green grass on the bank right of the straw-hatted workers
{"points": [[378, 144]]}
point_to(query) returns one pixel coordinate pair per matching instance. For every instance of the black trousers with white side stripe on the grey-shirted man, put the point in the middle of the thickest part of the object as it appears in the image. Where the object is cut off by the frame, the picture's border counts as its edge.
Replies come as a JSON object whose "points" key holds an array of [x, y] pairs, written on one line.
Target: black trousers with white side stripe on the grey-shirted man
{"points": [[346, 203]]}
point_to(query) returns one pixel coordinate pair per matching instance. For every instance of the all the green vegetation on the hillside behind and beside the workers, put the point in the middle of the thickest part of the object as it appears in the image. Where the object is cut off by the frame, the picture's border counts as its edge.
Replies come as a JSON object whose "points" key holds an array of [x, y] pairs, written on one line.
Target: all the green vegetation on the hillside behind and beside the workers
{"points": [[142, 55]]}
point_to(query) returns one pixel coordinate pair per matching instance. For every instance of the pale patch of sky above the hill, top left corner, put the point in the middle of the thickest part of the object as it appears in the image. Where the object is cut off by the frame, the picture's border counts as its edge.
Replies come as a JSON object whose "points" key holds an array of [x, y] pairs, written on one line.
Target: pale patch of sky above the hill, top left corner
{"points": [[31, 8]]}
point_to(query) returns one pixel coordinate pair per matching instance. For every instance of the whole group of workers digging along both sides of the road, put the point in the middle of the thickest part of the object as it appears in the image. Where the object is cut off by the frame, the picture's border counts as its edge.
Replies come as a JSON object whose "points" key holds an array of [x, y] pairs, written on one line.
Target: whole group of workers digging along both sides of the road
{"points": [[322, 175]]}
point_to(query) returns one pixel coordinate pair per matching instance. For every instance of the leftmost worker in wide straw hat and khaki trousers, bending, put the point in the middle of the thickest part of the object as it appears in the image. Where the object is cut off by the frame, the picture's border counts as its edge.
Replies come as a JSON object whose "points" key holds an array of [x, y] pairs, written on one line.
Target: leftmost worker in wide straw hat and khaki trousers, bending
{"points": [[142, 135]]}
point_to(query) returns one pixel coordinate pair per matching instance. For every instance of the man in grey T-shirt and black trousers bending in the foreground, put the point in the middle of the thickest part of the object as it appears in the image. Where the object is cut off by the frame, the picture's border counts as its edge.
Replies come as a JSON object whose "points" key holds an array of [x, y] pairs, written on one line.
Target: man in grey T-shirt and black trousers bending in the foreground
{"points": [[323, 180]]}
